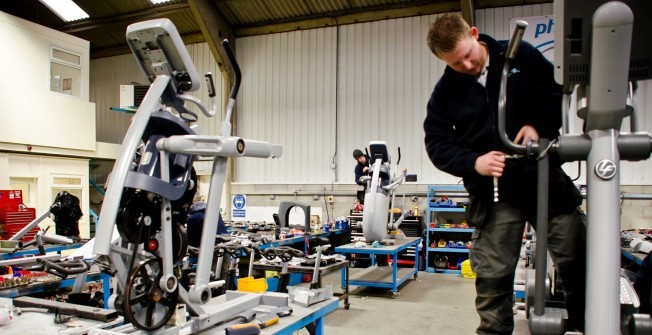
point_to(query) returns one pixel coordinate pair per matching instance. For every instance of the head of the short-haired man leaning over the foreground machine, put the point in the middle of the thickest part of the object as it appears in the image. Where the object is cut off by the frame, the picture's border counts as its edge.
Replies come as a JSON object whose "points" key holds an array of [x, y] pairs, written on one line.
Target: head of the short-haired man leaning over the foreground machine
{"points": [[452, 40]]}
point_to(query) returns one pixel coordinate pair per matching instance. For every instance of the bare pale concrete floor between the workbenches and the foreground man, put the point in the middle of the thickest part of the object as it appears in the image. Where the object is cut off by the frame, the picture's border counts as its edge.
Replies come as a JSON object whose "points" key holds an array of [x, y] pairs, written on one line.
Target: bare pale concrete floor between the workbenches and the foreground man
{"points": [[431, 304]]}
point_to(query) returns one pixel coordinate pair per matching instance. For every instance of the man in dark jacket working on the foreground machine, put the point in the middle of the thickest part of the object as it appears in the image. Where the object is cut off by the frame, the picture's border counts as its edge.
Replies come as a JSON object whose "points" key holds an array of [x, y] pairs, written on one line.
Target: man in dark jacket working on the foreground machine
{"points": [[461, 139]]}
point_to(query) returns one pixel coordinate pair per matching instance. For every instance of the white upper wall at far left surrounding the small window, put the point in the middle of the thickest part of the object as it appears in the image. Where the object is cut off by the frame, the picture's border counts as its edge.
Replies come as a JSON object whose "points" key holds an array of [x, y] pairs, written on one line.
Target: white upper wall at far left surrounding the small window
{"points": [[33, 113]]}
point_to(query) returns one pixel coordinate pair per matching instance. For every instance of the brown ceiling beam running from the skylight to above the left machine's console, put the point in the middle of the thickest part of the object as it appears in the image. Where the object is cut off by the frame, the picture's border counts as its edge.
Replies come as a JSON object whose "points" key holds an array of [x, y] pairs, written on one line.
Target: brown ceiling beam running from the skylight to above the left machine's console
{"points": [[123, 19]]}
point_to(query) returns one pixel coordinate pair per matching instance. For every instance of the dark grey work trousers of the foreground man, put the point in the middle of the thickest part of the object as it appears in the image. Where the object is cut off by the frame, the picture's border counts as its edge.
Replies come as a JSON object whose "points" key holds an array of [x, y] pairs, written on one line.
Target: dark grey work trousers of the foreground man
{"points": [[495, 253]]}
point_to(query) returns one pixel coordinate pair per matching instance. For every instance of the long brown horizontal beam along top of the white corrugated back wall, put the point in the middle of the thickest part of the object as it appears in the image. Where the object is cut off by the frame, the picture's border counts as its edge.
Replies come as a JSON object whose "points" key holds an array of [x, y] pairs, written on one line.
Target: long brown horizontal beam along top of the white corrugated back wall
{"points": [[348, 17]]}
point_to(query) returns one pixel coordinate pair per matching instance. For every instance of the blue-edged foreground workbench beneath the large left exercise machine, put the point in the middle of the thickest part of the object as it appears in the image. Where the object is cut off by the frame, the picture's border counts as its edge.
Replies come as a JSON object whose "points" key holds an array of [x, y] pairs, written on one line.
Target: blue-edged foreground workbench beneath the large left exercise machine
{"points": [[32, 322]]}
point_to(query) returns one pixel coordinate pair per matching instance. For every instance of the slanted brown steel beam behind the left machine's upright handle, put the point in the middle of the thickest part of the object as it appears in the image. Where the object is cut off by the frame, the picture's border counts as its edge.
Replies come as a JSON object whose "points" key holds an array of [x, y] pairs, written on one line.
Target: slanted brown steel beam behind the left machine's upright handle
{"points": [[215, 29]]}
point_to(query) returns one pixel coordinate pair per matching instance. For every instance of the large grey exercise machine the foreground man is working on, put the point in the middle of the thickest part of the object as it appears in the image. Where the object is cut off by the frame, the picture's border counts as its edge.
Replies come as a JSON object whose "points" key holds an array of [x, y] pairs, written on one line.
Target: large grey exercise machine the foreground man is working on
{"points": [[600, 46]]}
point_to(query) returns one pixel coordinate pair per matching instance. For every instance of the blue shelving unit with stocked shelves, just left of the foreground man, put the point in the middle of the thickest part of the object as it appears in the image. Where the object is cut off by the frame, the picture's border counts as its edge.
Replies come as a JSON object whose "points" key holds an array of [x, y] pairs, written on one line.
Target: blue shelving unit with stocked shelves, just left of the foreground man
{"points": [[435, 217]]}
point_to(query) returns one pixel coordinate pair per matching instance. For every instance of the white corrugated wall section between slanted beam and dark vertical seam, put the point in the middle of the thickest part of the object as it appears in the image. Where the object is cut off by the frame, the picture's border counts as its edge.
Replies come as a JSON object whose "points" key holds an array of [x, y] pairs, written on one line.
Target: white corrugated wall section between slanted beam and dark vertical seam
{"points": [[288, 97]]}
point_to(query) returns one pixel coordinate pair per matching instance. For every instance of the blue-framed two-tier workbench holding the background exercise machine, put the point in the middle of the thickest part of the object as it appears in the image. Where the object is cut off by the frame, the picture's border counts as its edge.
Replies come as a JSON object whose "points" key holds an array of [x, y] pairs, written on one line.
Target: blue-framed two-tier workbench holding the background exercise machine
{"points": [[390, 277]]}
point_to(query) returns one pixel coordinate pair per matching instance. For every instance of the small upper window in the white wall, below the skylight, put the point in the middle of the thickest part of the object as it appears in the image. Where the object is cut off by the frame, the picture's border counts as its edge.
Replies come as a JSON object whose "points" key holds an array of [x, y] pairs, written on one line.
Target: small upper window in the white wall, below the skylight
{"points": [[65, 71]]}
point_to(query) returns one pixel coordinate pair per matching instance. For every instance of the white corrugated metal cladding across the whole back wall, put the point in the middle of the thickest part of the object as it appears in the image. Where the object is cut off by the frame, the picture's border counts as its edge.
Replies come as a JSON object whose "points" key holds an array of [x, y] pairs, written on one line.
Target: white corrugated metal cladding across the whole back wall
{"points": [[323, 92]]}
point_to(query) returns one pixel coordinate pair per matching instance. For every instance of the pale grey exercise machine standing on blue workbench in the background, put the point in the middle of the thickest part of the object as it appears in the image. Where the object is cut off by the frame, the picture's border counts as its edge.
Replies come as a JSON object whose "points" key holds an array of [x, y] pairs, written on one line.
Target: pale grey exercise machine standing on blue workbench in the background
{"points": [[381, 187]]}
